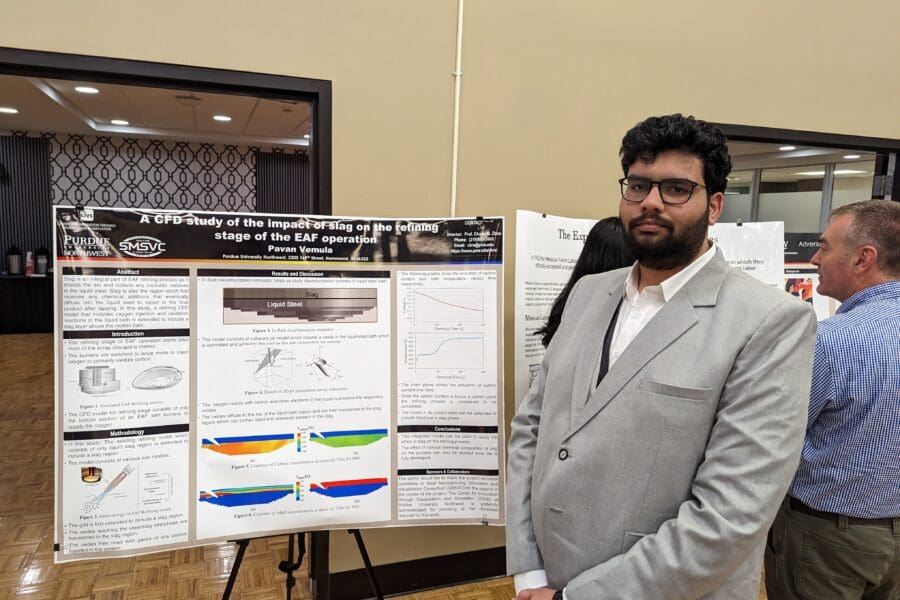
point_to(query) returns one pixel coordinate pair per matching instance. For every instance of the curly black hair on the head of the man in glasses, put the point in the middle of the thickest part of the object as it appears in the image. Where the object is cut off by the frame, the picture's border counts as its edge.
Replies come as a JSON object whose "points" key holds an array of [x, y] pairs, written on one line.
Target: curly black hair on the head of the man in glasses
{"points": [[648, 138]]}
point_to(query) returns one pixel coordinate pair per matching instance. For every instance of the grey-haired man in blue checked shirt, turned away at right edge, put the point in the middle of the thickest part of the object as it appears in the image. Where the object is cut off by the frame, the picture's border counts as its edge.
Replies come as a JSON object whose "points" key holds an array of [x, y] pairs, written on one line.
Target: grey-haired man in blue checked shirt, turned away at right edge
{"points": [[837, 534]]}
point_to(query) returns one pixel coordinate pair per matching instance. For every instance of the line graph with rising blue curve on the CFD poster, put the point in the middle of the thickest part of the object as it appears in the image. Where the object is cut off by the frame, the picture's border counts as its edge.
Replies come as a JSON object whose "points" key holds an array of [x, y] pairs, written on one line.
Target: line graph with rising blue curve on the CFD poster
{"points": [[455, 351]]}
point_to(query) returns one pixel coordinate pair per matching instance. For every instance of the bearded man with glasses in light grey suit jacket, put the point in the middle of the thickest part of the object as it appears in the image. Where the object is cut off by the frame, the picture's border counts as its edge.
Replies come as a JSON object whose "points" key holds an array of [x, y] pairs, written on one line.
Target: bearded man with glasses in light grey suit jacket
{"points": [[650, 455]]}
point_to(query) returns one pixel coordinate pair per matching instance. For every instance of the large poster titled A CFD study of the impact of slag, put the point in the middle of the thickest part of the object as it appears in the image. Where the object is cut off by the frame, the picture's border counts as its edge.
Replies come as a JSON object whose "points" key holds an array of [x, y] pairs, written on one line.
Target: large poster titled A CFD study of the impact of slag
{"points": [[223, 376]]}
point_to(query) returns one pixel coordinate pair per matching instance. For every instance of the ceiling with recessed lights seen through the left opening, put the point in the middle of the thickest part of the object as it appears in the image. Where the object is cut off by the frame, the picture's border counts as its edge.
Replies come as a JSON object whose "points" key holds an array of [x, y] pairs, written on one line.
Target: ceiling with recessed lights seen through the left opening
{"points": [[51, 105]]}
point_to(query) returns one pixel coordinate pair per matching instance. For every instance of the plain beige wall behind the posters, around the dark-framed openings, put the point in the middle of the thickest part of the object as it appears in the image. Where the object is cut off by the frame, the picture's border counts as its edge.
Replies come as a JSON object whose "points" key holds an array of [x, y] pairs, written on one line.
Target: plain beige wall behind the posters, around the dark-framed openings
{"points": [[548, 90]]}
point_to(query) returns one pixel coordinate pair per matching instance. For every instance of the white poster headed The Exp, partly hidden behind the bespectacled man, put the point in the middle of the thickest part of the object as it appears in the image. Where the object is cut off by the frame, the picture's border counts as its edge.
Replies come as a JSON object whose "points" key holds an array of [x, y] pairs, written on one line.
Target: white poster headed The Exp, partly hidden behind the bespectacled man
{"points": [[548, 246]]}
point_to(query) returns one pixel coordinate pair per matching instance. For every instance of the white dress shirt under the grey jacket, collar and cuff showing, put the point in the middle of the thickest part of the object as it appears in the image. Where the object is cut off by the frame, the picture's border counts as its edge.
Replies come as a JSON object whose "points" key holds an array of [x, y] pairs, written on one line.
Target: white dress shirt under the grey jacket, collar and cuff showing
{"points": [[637, 308]]}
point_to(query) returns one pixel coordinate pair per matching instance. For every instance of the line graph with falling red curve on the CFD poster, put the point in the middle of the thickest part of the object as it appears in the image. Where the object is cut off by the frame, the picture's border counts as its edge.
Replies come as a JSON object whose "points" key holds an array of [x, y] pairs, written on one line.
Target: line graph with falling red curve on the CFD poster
{"points": [[445, 305]]}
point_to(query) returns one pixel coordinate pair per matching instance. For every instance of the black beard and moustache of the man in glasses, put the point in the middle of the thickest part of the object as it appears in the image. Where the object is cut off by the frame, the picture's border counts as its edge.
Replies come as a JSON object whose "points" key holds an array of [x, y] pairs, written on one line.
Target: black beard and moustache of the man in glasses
{"points": [[670, 251]]}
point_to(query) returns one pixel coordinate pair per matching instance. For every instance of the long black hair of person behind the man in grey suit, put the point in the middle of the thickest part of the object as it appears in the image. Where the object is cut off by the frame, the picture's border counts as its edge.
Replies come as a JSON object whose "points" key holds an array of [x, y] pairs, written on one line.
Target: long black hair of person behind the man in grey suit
{"points": [[604, 250]]}
